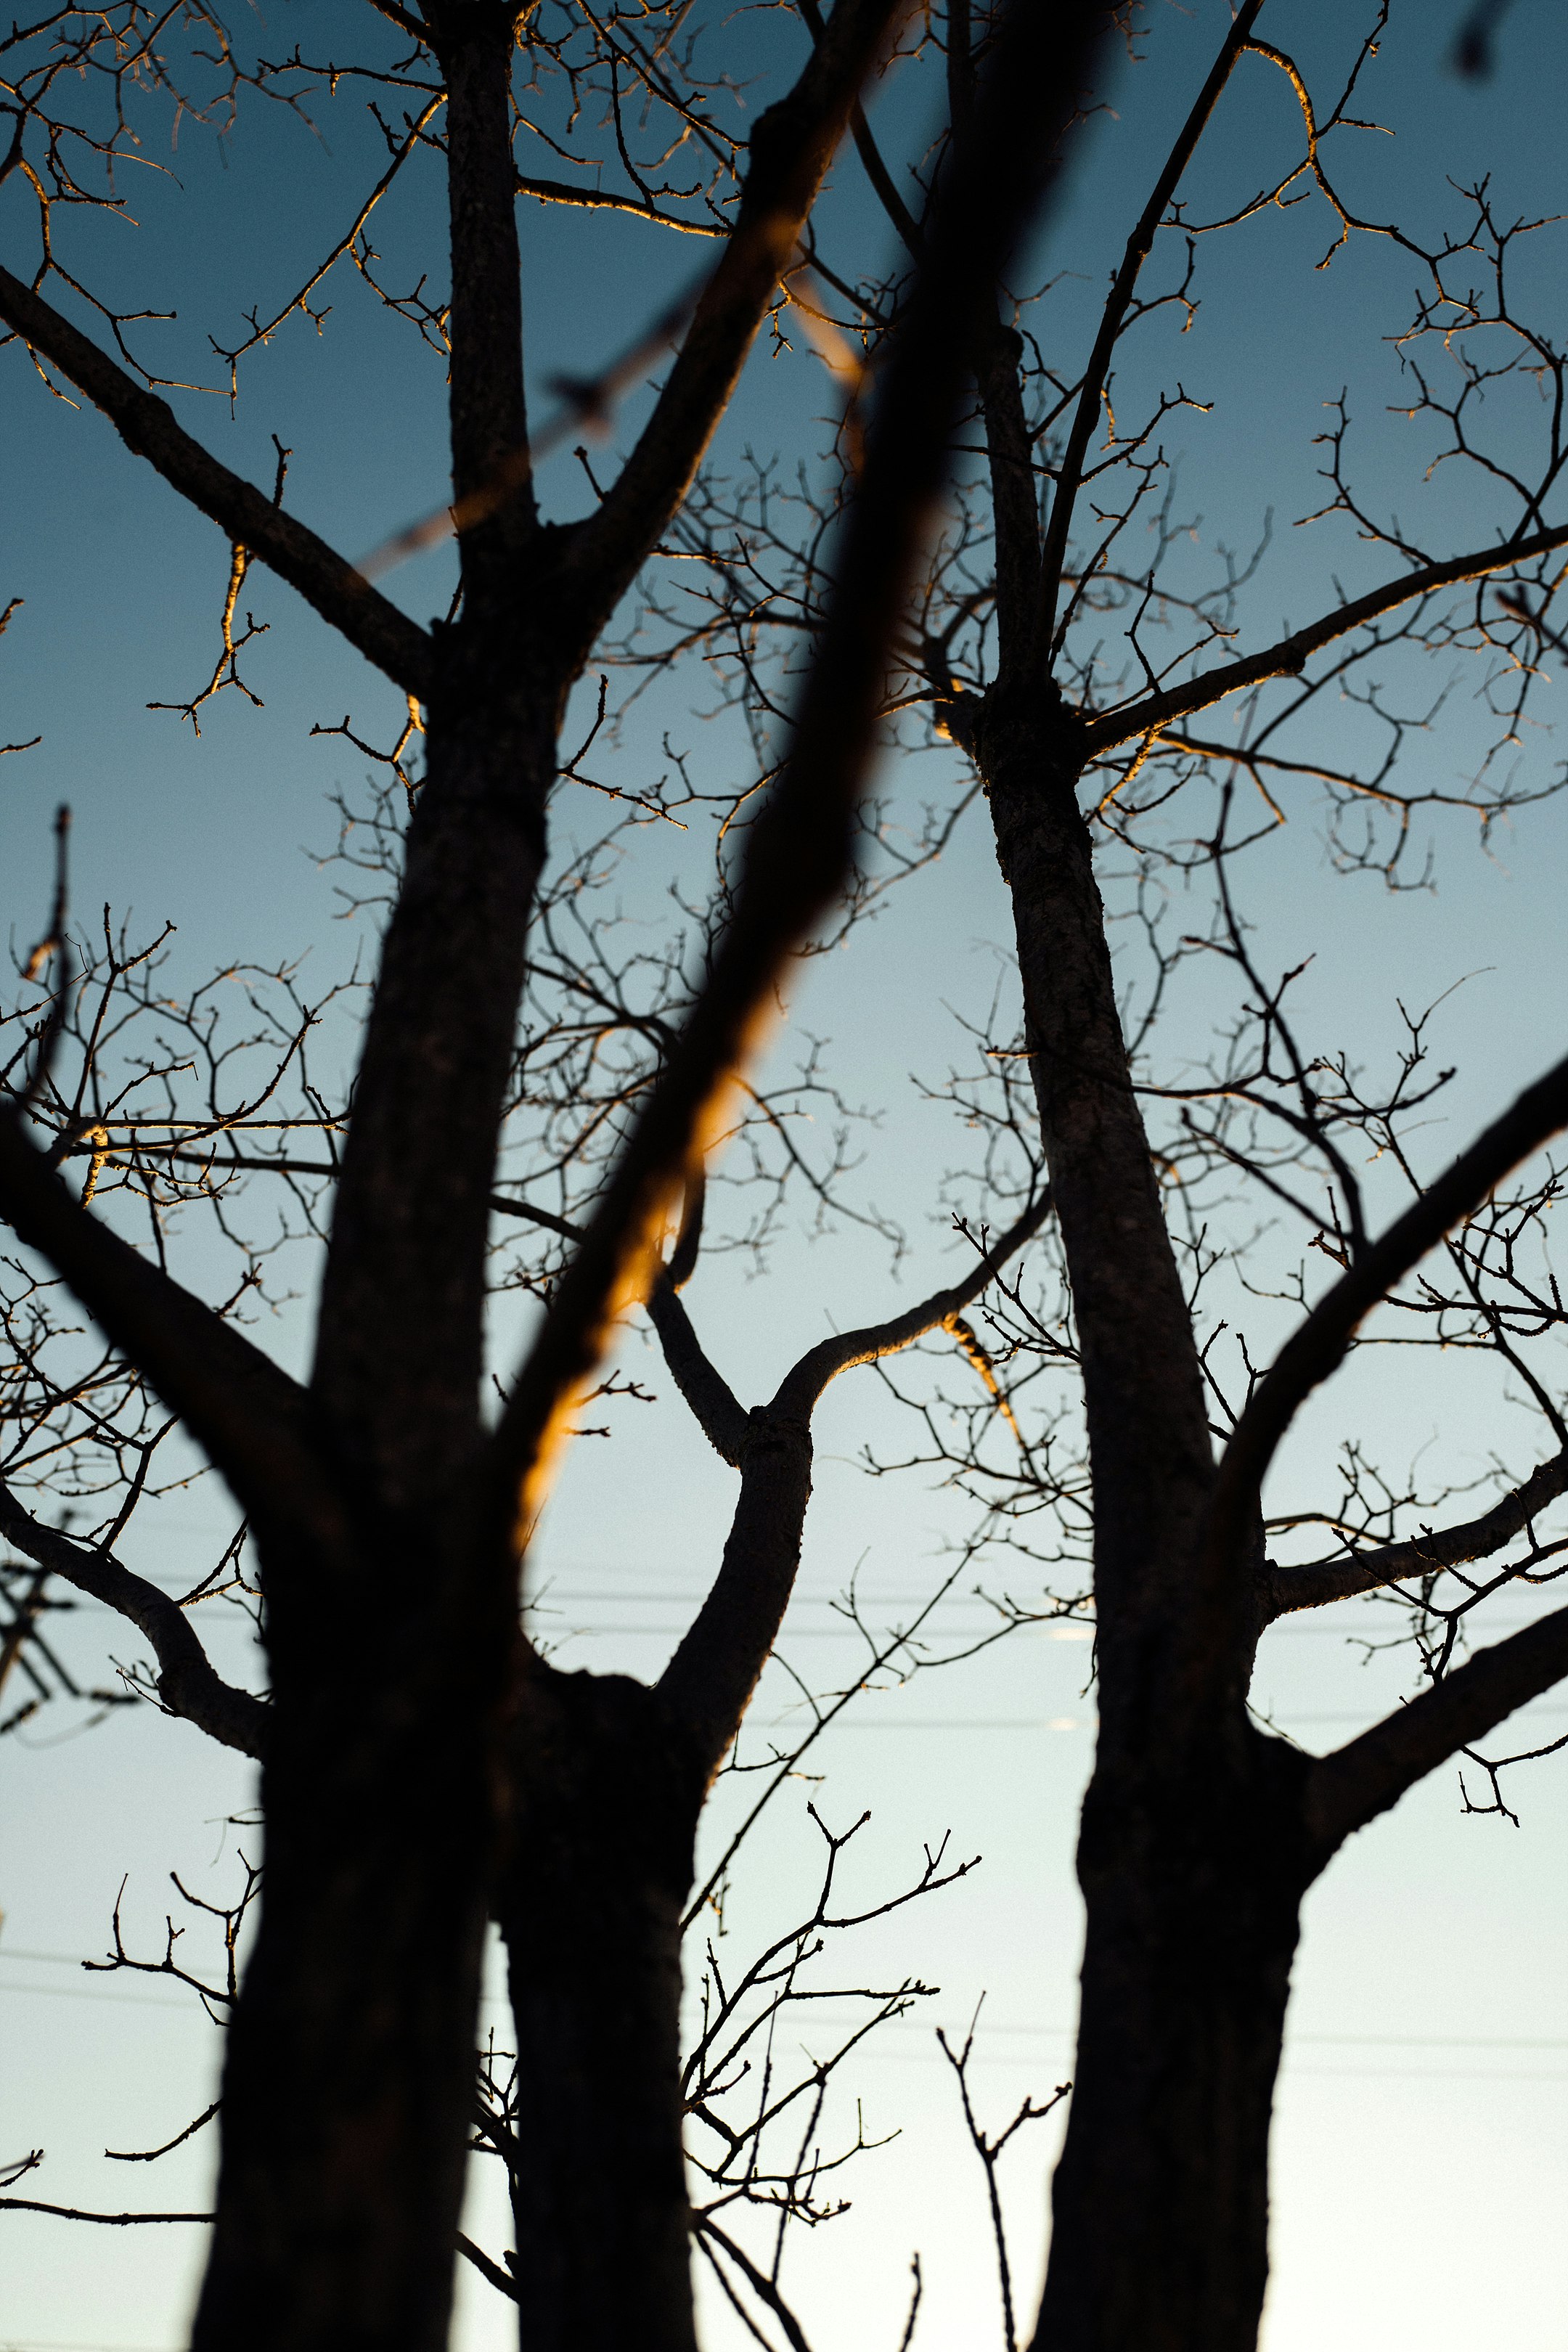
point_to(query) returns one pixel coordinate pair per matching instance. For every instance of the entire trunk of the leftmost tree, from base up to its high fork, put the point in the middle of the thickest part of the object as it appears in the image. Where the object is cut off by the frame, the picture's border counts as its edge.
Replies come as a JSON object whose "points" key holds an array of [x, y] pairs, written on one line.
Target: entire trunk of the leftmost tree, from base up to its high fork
{"points": [[349, 2080]]}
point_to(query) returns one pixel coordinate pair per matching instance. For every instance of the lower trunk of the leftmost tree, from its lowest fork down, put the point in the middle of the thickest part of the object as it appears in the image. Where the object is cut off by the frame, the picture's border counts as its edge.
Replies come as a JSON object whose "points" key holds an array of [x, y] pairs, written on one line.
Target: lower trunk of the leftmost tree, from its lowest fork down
{"points": [[349, 2073]]}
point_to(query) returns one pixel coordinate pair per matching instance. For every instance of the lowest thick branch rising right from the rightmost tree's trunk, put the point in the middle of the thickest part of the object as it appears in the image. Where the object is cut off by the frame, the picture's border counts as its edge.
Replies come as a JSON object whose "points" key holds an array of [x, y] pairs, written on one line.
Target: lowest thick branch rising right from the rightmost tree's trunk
{"points": [[1369, 1775]]}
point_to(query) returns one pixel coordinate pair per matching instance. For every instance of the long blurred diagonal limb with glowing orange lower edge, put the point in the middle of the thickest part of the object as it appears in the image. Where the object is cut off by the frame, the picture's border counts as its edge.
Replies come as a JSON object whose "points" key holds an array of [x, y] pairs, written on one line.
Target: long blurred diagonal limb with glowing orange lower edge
{"points": [[800, 846]]}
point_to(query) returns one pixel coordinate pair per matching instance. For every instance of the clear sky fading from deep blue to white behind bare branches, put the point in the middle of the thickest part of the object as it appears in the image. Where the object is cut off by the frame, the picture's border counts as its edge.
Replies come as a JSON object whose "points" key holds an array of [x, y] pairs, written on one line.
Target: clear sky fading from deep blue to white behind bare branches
{"points": [[1421, 2149]]}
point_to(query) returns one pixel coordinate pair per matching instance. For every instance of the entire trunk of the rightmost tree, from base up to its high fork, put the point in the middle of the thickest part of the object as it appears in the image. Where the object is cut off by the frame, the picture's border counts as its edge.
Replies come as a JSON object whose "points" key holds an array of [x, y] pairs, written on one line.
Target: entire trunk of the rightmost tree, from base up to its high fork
{"points": [[1191, 1859]]}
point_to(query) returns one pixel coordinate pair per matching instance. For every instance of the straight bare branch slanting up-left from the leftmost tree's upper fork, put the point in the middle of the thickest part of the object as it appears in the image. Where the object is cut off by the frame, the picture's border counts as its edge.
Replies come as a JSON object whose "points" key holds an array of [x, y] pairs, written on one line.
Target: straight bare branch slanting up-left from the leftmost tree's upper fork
{"points": [[307, 563]]}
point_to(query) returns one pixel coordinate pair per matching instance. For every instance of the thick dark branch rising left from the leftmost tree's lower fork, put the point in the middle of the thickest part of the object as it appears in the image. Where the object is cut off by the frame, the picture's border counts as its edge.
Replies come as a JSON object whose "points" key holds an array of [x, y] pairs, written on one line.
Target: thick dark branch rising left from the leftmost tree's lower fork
{"points": [[239, 1405]]}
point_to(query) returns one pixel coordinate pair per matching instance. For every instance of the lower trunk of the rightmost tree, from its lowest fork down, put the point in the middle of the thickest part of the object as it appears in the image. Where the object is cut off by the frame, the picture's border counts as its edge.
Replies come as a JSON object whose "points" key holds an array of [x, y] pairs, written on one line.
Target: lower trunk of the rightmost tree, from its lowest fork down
{"points": [[1193, 1885]]}
